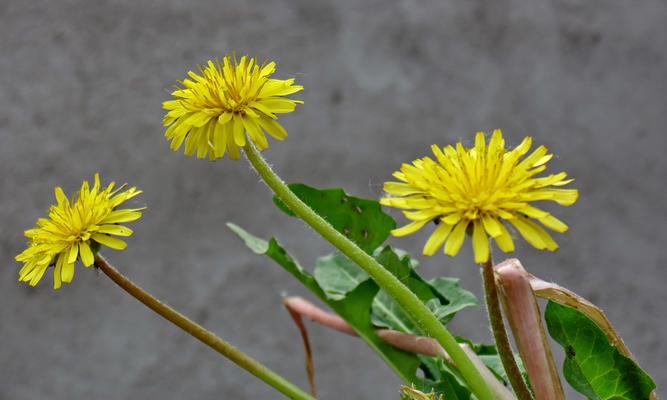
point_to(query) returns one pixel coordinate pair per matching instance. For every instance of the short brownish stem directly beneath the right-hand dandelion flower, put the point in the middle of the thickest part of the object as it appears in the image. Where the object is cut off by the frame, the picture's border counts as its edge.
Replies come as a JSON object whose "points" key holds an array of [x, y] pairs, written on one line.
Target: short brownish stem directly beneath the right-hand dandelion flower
{"points": [[500, 334]]}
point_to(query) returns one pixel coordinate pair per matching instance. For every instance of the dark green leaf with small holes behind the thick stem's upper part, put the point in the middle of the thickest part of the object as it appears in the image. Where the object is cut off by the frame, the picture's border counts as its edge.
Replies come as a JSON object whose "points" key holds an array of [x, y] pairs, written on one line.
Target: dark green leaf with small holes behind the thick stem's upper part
{"points": [[361, 220]]}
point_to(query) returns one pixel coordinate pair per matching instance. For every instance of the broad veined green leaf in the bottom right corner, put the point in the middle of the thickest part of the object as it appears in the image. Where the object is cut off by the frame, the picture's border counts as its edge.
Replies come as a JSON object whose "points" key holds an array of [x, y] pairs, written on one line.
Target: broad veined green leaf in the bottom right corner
{"points": [[592, 366]]}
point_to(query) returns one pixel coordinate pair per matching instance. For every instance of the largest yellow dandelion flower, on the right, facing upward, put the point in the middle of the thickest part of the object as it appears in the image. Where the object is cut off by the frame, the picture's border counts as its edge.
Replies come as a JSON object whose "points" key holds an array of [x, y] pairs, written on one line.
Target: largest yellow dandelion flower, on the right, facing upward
{"points": [[477, 190]]}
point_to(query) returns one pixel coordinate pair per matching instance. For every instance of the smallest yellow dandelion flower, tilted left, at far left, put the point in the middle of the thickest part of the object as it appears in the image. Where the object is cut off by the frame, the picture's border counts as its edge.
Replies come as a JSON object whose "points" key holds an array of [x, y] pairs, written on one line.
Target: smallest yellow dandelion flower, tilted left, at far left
{"points": [[75, 229]]}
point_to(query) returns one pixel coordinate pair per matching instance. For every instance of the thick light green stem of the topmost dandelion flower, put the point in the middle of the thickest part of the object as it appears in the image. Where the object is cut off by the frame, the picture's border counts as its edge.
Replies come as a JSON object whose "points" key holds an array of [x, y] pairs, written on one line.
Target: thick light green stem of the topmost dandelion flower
{"points": [[421, 315]]}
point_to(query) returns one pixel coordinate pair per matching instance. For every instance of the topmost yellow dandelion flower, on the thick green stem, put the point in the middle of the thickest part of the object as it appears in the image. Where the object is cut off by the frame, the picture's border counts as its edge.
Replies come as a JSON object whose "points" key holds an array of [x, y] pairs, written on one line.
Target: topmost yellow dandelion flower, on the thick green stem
{"points": [[216, 110]]}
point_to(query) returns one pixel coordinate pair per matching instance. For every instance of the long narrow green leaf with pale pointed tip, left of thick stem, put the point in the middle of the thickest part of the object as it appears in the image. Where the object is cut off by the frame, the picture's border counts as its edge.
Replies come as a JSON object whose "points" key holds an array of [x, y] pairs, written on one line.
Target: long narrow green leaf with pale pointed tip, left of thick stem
{"points": [[355, 308]]}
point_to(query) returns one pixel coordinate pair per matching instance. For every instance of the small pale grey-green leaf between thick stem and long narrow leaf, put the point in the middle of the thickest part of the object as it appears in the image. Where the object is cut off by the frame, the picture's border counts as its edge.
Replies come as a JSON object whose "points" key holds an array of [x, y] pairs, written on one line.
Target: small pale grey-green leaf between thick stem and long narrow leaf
{"points": [[337, 275]]}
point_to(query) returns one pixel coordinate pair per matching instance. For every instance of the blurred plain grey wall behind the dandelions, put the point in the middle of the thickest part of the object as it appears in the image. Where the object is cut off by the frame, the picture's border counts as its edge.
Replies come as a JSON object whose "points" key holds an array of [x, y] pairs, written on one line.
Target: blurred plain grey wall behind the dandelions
{"points": [[81, 86]]}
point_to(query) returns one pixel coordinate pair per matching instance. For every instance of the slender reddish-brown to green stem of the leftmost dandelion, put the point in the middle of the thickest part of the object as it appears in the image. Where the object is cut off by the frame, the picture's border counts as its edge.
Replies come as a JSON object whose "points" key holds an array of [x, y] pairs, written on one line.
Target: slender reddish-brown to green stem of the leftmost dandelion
{"points": [[207, 337]]}
